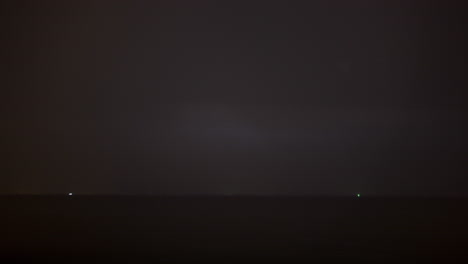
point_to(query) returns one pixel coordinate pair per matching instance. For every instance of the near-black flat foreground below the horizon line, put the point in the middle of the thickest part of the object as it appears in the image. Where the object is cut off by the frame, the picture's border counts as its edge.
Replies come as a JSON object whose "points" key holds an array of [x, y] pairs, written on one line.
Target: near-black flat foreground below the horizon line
{"points": [[232, 229]]}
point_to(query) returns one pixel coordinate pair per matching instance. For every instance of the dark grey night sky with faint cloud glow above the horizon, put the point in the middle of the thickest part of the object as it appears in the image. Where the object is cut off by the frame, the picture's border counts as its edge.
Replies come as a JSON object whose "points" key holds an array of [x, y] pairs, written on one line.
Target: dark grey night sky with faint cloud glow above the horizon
{"points": [[235, 97]]}
